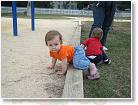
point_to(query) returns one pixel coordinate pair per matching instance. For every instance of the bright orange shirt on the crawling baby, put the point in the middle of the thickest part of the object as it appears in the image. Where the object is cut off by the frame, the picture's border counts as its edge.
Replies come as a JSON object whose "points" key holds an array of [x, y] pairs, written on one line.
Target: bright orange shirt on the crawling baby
{"points": [[64, 52]]}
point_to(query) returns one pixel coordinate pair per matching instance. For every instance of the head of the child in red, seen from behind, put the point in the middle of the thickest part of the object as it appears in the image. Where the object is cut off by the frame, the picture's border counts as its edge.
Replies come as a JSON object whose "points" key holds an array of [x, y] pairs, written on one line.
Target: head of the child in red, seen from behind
{"points": [[97, 33]]}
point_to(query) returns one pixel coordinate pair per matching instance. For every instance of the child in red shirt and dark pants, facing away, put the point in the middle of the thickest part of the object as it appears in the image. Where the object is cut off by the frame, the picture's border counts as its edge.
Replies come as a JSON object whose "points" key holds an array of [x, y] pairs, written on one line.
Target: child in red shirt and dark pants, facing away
{"points": [[94, 48]]}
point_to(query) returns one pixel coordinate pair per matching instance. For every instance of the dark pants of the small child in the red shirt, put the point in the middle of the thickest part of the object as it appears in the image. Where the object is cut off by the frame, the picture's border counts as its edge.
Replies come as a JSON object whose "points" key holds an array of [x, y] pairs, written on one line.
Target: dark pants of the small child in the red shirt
{"points": [[98, 58]]}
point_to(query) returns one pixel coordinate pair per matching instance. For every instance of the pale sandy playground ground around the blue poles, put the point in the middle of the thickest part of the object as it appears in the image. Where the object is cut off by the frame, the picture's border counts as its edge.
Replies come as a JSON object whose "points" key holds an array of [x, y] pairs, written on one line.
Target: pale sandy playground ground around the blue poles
{"points": [[25, 58]]}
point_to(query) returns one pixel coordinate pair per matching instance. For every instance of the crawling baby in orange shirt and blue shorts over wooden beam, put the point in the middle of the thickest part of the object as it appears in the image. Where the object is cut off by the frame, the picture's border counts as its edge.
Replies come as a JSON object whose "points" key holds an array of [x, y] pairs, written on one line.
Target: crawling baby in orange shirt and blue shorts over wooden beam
{"points": [[67, 55]]}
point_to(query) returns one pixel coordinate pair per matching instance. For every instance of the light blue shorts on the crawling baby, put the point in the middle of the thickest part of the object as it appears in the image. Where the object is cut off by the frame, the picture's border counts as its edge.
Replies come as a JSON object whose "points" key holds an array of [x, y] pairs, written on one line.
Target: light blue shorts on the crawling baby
{"points": [[80, 61]]}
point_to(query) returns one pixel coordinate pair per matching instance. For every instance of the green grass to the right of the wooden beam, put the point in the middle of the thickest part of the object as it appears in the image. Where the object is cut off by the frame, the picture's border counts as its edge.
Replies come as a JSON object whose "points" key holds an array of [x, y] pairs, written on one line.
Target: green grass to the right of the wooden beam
{"points": [[115, 81]]}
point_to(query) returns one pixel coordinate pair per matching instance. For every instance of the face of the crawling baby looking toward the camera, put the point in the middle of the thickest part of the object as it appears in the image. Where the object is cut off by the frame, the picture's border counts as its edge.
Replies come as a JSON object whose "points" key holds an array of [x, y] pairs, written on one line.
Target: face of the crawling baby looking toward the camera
{"points": [[54, 44]]}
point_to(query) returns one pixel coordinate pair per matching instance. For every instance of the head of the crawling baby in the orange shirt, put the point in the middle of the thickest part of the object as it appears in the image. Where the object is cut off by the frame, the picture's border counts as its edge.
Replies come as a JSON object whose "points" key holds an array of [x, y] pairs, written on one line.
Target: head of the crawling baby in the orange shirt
{"points": [[53, 40]]}
